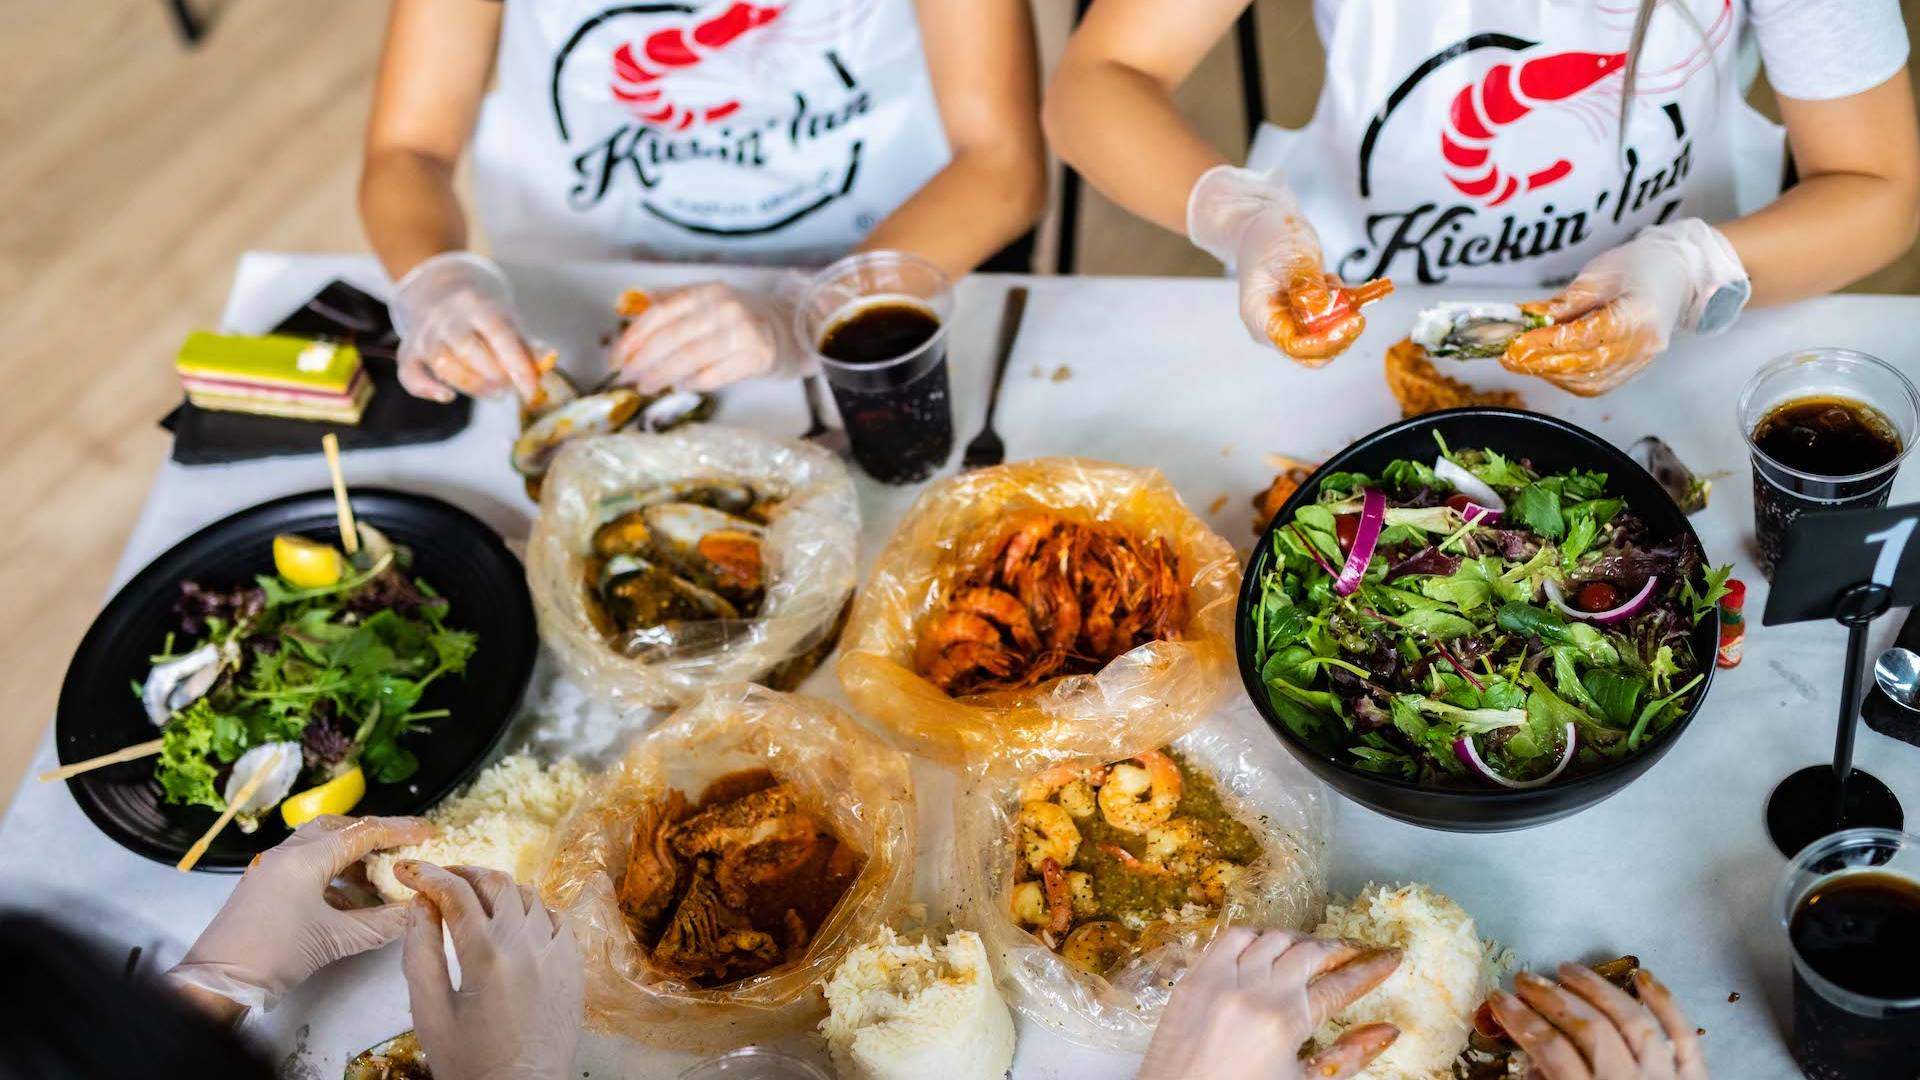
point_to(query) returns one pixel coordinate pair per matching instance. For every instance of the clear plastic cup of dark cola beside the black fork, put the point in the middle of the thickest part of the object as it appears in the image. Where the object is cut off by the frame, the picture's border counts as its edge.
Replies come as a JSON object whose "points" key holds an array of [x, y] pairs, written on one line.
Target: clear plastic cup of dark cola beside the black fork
{"points": [[898, 410]]}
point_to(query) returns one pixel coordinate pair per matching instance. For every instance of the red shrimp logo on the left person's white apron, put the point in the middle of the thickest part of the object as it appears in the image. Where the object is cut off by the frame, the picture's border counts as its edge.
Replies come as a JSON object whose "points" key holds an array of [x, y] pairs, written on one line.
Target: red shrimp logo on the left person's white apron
{"points": [[644, 76]]}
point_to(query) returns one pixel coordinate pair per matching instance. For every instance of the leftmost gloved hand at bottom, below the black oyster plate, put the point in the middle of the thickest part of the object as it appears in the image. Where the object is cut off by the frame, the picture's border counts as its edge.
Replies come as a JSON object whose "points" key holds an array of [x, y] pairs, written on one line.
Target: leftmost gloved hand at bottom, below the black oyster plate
{"points": [[277, 927]]}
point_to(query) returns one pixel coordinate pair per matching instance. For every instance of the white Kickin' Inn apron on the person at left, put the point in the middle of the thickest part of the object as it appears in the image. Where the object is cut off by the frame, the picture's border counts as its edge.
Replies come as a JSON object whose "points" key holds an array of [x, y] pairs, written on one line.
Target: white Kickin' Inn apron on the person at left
{"points": [[775, 132]]}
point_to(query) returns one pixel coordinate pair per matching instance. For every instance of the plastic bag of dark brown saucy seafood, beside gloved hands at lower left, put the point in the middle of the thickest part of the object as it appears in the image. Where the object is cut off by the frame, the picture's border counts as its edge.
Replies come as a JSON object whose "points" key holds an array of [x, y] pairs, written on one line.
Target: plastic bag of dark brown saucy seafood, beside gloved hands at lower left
{"points": [[723, 870]]}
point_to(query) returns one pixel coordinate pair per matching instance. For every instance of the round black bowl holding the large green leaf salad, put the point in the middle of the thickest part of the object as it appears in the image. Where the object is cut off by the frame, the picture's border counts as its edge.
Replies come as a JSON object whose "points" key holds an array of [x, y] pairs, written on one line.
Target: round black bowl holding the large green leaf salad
{"points": [[1550, 445]]}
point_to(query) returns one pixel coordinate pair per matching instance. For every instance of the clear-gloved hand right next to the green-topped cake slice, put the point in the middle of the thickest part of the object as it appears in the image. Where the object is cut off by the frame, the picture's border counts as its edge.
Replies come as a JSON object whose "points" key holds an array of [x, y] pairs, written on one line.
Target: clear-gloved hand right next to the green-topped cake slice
{"points": [[458, 331]]}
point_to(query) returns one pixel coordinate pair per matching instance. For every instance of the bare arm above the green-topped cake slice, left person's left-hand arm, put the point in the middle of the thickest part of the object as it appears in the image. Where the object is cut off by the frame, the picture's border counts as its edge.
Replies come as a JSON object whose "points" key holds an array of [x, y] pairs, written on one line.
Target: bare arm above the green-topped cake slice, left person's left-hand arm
{"points": [[433, 74]]}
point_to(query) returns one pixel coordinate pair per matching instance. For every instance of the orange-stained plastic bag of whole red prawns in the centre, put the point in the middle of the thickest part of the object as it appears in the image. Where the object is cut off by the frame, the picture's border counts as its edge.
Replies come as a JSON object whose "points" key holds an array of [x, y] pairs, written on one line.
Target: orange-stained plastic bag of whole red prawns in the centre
{"points": [[1042, 585]]}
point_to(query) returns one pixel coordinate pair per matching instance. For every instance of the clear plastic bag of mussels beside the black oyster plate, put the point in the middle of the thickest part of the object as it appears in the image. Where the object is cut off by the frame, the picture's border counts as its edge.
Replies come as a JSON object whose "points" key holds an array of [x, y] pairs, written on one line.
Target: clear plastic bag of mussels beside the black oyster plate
{"points": [[804, 556]]}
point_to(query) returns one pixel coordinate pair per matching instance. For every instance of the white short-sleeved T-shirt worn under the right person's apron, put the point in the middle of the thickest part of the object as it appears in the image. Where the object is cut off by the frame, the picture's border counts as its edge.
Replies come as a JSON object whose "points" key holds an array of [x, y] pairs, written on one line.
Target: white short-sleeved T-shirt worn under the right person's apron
{"points": [[1813, 49]]}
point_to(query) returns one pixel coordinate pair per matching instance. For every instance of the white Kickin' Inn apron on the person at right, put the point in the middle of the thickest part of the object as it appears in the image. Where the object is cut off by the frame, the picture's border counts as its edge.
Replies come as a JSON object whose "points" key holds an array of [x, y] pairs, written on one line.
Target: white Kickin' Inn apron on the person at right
{"points": [[1479, 141]]}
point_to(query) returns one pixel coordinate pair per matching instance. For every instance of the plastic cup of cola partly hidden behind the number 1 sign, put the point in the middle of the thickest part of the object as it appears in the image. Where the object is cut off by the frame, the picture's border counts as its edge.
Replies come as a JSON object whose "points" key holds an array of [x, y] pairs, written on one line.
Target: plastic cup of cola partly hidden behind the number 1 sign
{"points": [[1783, 493]]}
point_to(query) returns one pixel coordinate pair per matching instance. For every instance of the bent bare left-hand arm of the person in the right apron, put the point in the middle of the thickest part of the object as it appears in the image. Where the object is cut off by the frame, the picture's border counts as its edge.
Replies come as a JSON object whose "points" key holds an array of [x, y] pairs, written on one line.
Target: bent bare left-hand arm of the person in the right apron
{"points": [[1111, 107]]}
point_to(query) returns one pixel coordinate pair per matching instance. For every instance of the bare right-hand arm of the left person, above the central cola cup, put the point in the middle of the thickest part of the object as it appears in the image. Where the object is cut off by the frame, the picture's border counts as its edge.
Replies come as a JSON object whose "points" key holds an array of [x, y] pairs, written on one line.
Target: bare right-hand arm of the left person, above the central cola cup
{"points": [[986, 80]]}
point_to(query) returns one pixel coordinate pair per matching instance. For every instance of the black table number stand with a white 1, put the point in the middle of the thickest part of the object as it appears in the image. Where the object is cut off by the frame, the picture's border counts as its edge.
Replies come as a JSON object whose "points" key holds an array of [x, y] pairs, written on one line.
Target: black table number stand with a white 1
{"points": [[1852, 568]]}
